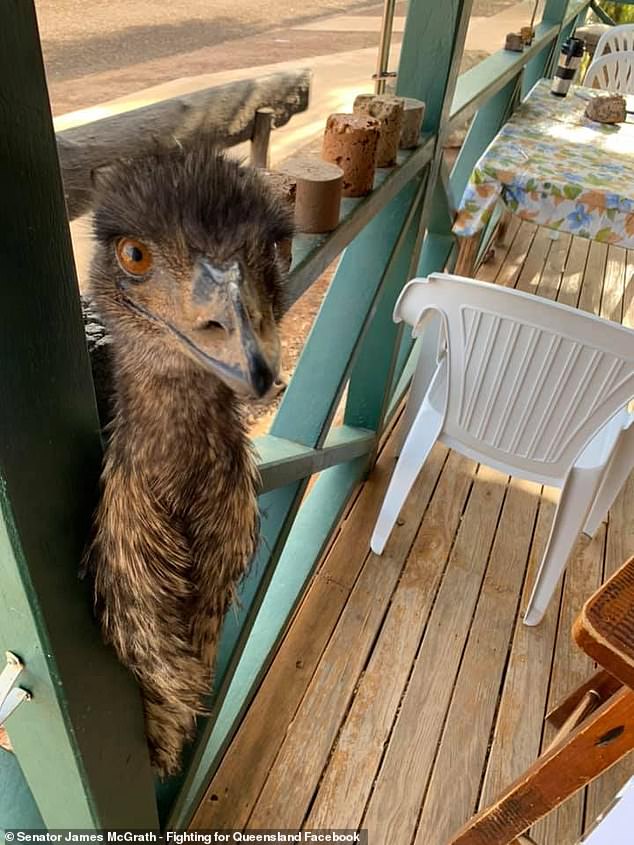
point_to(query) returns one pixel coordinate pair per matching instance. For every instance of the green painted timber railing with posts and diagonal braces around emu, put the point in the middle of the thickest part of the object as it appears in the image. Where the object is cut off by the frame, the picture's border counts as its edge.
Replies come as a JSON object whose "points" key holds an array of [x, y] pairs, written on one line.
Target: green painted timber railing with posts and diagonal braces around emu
{"points": [[79, 742]]}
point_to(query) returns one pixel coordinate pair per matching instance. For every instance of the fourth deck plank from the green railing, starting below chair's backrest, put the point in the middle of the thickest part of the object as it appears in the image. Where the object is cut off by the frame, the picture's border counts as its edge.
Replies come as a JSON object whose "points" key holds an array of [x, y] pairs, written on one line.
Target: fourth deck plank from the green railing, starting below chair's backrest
{"points": [[413, 743]]}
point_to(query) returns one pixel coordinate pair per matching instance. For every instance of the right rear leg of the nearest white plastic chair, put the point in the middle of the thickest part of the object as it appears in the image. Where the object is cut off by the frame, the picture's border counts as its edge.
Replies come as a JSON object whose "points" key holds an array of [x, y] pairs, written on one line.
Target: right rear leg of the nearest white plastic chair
{"points": [[574, 503]]}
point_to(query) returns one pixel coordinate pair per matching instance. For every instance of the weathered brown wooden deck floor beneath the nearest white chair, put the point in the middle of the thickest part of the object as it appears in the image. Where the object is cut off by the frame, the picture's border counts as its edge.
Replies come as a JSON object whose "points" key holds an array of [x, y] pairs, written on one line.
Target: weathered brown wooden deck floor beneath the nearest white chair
{"points": [[407, 692]]}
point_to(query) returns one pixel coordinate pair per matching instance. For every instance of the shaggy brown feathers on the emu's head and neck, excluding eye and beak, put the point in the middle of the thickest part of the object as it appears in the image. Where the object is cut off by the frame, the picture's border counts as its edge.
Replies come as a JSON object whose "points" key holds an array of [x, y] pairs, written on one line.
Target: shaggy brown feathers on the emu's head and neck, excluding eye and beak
{"points": [[176, 526]]}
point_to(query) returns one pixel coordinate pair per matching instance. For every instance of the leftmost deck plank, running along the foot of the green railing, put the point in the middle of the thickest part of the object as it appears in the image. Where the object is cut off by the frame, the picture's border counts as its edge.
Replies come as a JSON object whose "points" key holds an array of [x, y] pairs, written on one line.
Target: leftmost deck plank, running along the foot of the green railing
{"points": [[234, 789]]}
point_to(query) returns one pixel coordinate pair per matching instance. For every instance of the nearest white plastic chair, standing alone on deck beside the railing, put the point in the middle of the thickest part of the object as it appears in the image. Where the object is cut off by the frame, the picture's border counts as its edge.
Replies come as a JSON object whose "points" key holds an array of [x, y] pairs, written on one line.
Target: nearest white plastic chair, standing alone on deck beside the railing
{"points": [[530, 387]]}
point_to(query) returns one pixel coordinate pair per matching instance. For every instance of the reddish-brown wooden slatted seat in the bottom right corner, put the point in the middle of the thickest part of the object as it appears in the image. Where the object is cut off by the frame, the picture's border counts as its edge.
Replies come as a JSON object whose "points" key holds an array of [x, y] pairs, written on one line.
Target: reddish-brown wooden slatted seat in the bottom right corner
{"points": [[596, 722]]}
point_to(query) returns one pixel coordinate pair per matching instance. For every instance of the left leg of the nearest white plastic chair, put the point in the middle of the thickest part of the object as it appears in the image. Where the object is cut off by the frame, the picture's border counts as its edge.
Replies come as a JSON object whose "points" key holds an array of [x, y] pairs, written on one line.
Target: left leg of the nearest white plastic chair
{"points": [[421, 437]]}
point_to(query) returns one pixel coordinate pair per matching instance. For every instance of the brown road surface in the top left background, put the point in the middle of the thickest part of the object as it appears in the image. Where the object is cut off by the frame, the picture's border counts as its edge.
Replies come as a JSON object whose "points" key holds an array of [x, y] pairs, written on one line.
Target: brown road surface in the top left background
{"points": [[82, 37]]}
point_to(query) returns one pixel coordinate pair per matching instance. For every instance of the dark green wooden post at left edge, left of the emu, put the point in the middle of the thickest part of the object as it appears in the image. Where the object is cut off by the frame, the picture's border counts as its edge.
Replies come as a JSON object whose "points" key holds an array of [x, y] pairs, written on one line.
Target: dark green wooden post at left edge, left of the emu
{"points": [[80, 741]]}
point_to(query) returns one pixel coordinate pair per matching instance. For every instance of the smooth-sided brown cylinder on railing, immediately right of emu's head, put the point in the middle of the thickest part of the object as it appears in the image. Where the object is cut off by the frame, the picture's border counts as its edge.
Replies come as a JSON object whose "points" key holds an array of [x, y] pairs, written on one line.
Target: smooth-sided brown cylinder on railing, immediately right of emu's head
{"points": [[318, 198]]}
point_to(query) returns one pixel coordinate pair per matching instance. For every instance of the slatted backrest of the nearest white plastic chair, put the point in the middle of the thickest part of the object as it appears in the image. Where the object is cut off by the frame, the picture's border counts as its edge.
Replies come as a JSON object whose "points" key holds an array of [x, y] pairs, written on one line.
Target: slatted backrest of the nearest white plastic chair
{"points": [[530, 381]]}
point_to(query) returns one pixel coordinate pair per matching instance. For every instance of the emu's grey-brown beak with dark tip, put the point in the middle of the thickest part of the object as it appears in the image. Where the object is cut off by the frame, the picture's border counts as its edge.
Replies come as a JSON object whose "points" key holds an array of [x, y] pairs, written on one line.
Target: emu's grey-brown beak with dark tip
{"points": [[224, 338]]}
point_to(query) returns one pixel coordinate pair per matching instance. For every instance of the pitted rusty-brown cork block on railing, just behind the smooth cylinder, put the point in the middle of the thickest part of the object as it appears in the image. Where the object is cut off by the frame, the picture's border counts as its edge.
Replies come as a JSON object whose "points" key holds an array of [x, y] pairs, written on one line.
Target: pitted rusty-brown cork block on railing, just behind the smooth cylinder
{"points": [[351, 142]]}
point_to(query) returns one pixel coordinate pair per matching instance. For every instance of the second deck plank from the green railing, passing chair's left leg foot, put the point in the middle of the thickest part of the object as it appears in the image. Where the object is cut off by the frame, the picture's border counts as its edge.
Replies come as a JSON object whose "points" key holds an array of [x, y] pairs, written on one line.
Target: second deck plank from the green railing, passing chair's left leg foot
{"points": [[287, 792]]}
